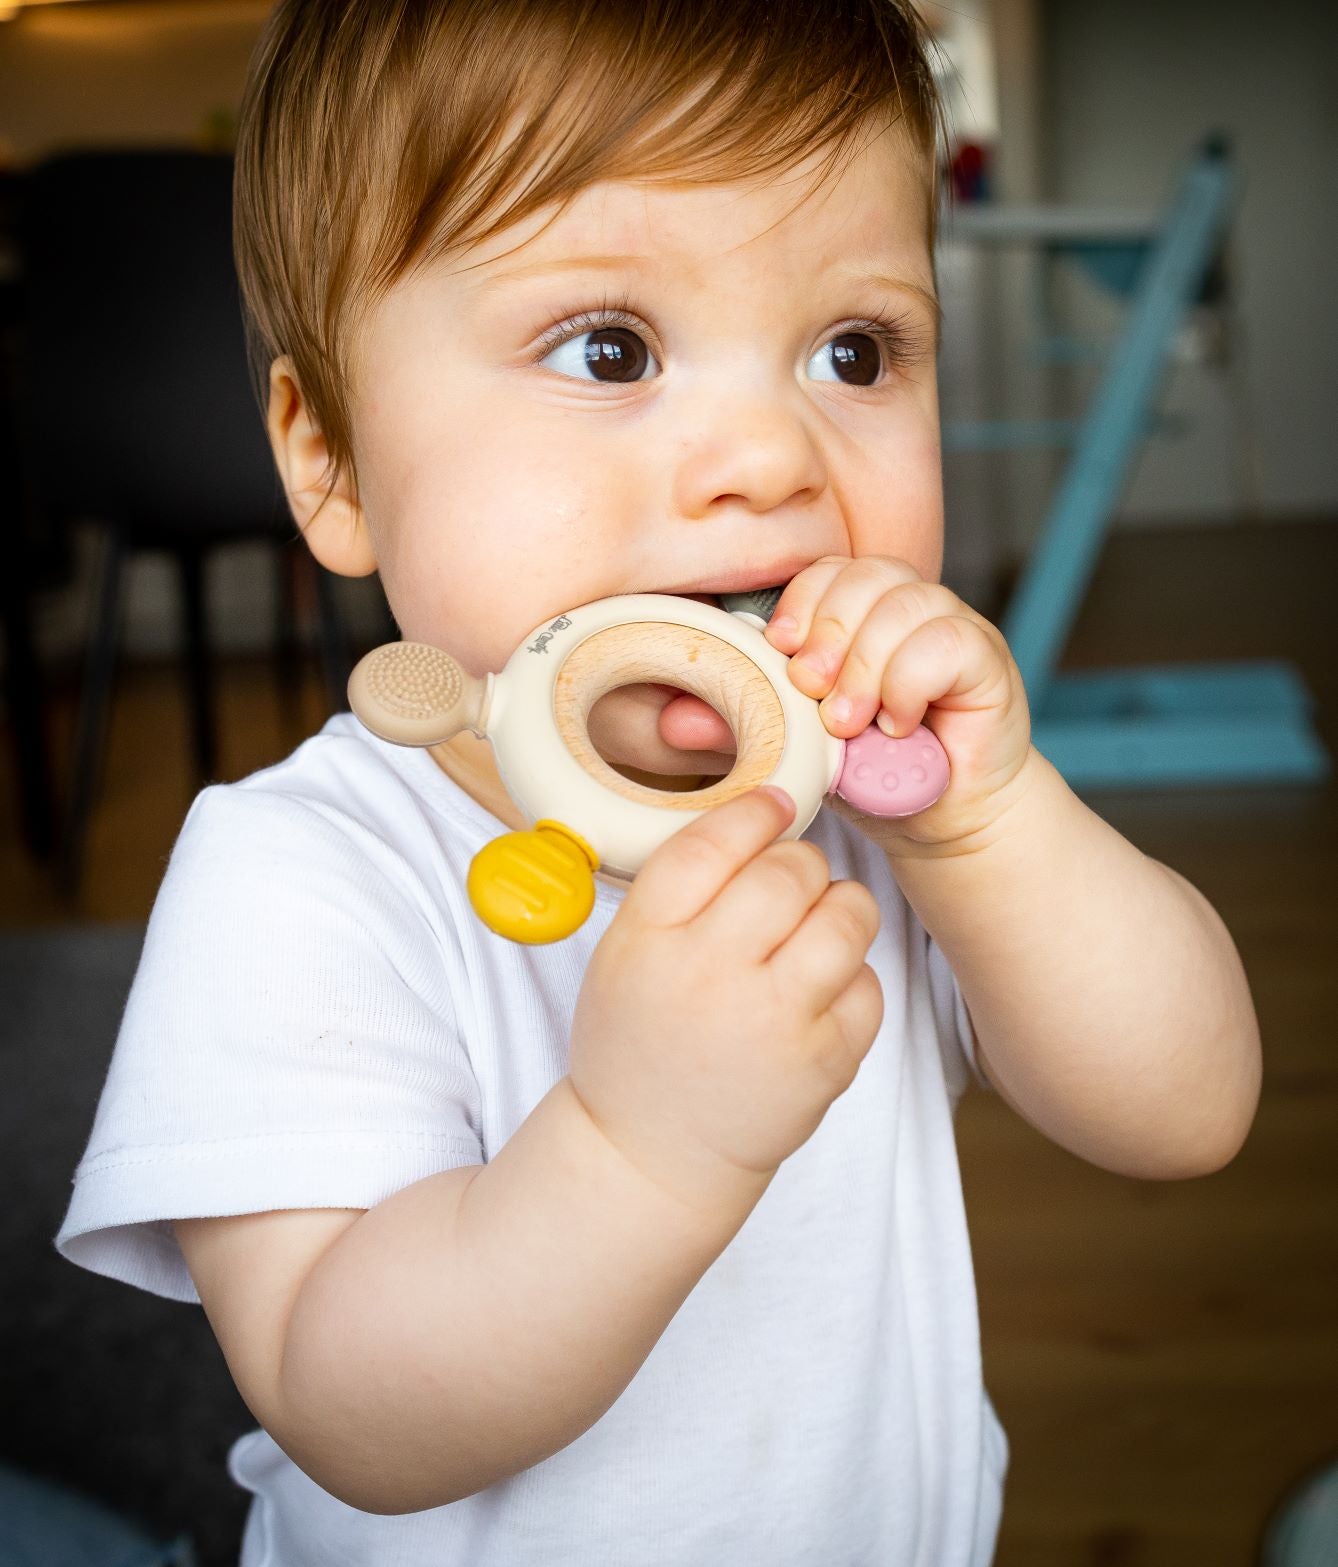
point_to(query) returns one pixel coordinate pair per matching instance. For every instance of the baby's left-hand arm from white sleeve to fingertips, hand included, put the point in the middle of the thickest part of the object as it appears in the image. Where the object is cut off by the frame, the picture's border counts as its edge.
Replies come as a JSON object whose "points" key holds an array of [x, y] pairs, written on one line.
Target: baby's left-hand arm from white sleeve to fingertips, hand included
{"points": [[483, 1319]]}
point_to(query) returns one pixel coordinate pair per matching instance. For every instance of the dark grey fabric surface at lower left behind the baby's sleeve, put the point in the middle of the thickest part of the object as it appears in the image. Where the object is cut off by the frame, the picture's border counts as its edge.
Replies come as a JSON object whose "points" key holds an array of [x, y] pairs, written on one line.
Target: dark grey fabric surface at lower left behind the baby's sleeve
{"points": [[106, 1389]]}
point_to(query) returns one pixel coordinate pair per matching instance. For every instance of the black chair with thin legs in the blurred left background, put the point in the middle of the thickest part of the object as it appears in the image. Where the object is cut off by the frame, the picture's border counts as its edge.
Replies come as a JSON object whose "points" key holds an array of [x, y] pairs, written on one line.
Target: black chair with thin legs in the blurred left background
{"points": [[137, 411]]}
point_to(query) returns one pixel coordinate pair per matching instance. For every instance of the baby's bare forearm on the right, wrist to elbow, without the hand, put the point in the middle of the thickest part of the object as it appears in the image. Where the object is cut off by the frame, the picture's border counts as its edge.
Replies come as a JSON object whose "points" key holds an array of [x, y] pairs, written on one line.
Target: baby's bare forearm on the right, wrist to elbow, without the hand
{"points": [[1108, 1001]]}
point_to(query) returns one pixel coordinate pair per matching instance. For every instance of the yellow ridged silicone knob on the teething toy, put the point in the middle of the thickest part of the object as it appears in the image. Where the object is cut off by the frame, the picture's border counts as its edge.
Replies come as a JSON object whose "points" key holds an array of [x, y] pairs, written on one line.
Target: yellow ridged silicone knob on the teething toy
{"points": [[535, 886]]}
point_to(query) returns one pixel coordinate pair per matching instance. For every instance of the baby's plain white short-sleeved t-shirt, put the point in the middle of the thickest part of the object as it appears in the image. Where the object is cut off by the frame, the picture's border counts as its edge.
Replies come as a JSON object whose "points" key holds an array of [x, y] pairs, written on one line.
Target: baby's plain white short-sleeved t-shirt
{"points": [[320, 1019]]}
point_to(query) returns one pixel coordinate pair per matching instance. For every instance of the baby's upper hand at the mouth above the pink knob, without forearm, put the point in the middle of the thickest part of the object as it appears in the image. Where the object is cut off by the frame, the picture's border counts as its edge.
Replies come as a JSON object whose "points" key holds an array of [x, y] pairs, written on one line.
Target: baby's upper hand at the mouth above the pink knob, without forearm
{"points": [[878, 643]]}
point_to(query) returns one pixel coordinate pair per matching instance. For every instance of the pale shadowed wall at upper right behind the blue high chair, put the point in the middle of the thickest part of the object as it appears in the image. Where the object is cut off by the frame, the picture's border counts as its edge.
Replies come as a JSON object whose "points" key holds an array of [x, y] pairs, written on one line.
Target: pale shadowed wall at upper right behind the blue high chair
{"points": [[1130, 89]]}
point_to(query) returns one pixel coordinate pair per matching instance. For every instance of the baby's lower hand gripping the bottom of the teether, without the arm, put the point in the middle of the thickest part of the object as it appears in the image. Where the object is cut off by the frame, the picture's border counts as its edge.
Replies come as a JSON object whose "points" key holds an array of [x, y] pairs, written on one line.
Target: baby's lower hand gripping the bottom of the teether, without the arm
{"points": [[728, 1004]]}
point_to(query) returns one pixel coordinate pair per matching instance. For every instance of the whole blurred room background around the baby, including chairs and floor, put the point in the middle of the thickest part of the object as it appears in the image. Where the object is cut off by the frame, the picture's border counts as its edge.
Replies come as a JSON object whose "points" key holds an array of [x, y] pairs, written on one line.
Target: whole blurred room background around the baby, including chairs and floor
{"points": [[1140, 388]]}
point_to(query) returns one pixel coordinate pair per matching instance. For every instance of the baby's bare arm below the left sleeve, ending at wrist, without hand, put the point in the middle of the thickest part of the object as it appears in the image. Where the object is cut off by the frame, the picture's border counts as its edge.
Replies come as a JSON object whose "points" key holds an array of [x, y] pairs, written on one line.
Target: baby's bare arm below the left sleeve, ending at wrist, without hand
{"points": [[468, 1326]]}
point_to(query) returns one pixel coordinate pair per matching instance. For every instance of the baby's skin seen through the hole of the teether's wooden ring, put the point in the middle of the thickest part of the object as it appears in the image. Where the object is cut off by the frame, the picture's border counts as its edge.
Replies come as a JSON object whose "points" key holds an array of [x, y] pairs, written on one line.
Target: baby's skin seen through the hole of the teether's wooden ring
{"points": [[664, 737]]}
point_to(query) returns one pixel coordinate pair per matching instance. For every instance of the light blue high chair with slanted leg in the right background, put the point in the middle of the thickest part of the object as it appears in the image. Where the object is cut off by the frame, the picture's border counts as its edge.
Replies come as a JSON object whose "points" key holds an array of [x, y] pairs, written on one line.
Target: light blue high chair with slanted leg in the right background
{"points": [[1173, 725]]}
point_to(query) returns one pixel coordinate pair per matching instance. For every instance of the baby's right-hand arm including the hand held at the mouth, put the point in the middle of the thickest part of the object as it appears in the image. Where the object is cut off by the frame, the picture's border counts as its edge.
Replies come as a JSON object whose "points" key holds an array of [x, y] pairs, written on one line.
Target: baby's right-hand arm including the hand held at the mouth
{"points": [[1108, 1002]]}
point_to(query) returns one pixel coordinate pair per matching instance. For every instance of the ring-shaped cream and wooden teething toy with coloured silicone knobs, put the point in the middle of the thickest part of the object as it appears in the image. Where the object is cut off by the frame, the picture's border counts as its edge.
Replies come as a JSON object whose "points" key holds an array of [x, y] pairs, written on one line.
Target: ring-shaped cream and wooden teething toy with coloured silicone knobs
{"points": [[538, 886]]}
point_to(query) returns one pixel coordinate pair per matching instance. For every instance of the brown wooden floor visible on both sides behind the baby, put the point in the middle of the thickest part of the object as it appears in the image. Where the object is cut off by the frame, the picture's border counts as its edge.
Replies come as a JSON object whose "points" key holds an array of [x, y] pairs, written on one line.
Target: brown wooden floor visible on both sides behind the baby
{"points": [[1165, 1358]]}
